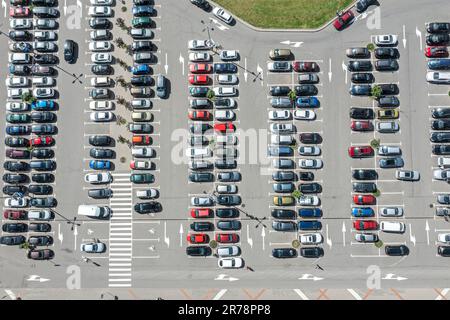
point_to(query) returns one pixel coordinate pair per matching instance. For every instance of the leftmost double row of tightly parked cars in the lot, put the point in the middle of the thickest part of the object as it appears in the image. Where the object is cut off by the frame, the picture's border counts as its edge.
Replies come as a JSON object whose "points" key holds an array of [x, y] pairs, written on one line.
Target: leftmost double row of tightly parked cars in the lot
{"points": [[31, 110]]}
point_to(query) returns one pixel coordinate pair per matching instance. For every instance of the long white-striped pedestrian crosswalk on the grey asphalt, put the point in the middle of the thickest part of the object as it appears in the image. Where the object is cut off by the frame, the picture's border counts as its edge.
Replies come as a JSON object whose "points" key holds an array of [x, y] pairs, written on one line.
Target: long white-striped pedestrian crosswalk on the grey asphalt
{"points": [[121, 231]]}
